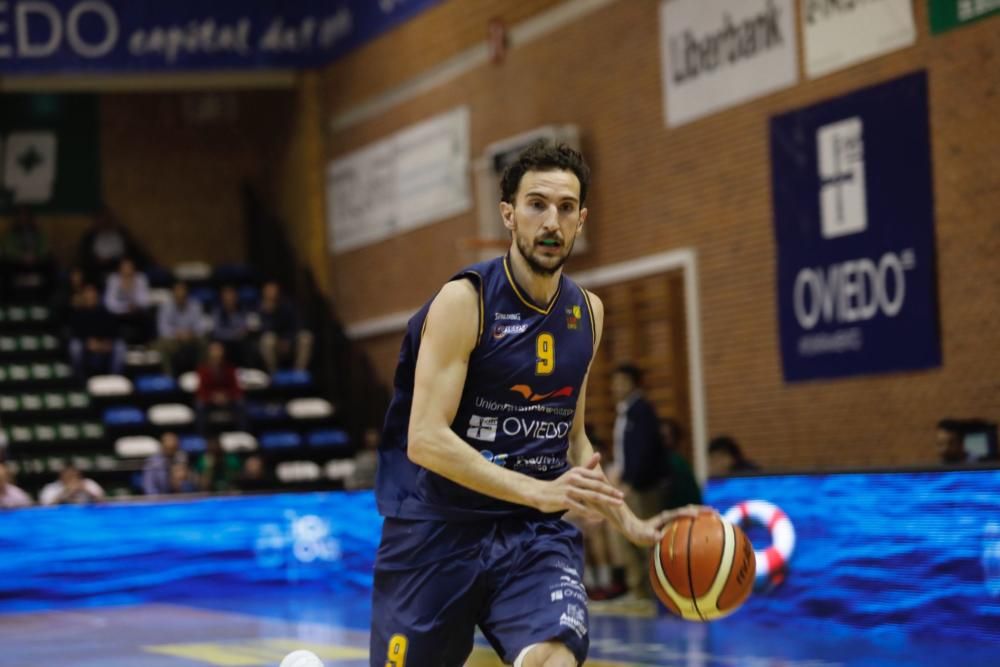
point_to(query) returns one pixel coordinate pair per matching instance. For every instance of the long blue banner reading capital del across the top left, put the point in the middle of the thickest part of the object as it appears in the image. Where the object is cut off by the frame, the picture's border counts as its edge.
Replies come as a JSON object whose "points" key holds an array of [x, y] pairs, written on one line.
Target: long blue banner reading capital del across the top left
{"points": [[60, 36]]}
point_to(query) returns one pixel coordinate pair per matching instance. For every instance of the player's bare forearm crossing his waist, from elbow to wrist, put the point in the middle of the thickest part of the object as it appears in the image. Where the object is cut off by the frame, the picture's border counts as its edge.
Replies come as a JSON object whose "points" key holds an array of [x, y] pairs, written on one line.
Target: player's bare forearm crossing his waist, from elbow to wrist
{"points": [[446, 454]]}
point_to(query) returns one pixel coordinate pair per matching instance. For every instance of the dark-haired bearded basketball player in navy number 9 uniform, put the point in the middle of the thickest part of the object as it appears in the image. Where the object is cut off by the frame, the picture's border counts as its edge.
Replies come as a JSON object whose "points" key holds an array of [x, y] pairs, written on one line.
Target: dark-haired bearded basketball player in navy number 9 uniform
{"points": [[484, 448]]}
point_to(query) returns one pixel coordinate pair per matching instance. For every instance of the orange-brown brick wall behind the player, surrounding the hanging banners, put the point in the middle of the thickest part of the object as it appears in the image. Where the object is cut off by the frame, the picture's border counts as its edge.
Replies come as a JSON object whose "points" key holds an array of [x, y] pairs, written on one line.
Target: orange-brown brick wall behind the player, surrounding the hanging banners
{"points": [[706, 185]]}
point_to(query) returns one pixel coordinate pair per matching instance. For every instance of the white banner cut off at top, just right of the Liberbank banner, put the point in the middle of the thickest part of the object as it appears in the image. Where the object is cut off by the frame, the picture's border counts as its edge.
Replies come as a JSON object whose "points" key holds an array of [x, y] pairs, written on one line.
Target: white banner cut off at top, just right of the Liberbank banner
{"points": [[840, 34]]}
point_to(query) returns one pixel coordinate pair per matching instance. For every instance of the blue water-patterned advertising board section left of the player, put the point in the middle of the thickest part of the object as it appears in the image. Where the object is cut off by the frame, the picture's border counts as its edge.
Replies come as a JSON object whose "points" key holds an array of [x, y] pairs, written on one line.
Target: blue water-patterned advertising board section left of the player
{"points": [[197, 549]]}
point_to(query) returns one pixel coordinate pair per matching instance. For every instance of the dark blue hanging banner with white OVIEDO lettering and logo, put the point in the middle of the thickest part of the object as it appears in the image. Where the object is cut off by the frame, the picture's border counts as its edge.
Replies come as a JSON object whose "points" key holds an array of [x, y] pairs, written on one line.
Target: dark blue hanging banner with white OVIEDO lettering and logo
{"points": [[854, 226]]}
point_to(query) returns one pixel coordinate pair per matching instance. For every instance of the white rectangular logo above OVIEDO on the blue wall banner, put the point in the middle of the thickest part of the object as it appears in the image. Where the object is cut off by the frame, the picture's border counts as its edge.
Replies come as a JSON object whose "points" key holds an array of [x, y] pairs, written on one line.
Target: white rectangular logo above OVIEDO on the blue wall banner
{"points": [[843, 206]]}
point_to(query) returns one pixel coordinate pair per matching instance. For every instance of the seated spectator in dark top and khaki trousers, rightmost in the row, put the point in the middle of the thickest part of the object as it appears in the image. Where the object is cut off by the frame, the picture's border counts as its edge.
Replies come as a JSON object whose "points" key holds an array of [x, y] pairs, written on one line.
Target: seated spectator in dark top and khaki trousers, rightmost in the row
{"points": [[281, 337]]}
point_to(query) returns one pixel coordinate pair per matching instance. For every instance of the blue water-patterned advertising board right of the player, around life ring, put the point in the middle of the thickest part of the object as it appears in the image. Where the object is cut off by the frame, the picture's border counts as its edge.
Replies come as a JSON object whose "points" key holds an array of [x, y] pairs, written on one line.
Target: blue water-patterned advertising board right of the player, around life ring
{"points": [[895, 556]]}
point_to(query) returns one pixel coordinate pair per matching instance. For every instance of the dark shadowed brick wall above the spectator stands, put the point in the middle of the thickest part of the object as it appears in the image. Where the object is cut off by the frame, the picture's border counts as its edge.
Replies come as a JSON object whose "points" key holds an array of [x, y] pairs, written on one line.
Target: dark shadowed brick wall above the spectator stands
{"points": [[175, 181]]}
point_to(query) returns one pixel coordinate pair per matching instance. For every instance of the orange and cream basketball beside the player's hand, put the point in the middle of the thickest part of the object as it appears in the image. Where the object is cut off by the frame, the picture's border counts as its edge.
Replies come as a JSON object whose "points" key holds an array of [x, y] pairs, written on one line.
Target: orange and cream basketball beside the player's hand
{"points": [[703, 568]]}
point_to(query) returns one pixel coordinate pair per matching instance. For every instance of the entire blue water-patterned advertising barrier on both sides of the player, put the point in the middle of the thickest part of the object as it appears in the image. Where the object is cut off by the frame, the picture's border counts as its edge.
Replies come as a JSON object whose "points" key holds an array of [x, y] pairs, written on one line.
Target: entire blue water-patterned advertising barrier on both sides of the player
{"points": [[905, 561]]}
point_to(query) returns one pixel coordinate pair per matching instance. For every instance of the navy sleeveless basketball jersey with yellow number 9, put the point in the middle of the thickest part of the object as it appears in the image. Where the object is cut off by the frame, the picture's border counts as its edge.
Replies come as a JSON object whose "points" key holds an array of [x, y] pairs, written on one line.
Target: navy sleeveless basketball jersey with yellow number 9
{"points": [[524, 378]]}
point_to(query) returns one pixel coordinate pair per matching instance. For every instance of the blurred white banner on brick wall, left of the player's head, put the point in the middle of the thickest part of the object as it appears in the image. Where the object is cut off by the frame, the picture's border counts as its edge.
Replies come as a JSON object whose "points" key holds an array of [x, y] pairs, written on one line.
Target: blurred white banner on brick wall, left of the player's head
{"points": [[415, 177]]}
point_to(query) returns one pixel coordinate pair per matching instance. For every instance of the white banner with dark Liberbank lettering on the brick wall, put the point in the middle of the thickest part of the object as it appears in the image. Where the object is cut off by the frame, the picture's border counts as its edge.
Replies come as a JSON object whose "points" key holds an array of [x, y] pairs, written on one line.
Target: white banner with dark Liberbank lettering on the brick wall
{"points": [[719, 53]]}
